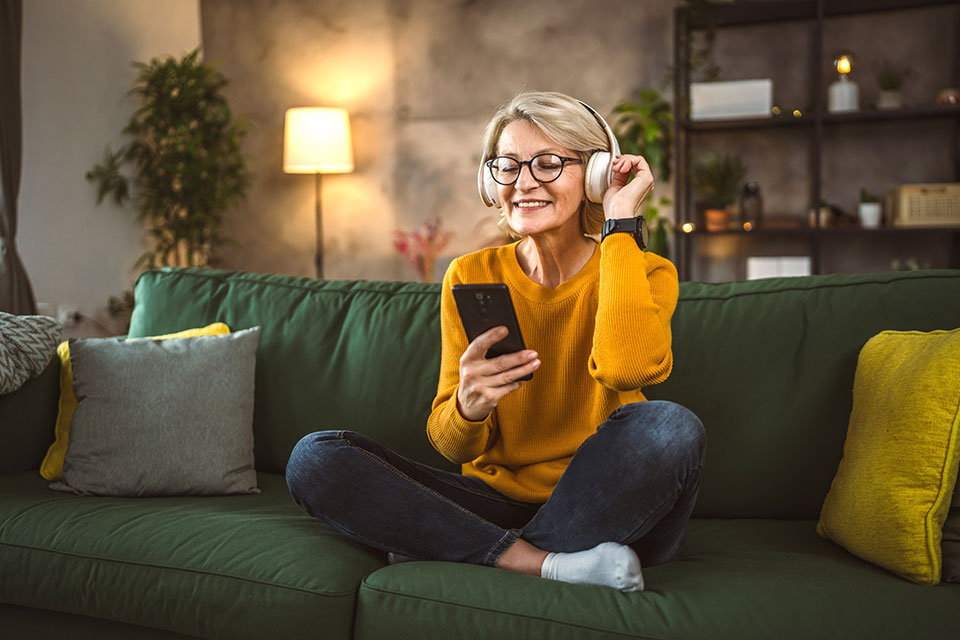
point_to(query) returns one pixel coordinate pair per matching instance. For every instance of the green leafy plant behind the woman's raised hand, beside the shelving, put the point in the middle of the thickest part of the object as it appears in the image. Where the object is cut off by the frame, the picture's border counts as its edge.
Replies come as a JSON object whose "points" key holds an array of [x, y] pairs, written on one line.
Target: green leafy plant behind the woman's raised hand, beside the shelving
{"points": [[645, 128]]}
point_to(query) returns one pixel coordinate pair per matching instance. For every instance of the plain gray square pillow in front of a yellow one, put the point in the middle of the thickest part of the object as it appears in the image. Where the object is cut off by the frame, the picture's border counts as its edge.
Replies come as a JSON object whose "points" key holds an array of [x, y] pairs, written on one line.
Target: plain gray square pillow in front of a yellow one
{"points": [[162, 417]]}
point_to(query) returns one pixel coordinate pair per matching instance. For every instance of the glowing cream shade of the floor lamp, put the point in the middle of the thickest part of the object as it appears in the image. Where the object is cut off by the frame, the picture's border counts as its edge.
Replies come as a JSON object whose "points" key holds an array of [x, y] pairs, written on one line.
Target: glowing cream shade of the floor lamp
{"points": [[317, 140]]}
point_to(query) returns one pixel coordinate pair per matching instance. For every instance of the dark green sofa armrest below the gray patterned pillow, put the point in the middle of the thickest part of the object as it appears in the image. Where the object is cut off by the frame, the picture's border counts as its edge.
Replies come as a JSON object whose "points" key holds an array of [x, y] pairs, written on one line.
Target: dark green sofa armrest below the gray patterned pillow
{"points": [[27, 419]]}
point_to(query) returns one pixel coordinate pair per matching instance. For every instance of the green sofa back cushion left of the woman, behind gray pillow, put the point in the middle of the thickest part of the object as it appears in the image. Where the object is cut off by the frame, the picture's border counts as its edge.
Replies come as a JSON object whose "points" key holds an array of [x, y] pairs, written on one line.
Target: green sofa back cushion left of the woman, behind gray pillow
{"points": [[356, 355]]}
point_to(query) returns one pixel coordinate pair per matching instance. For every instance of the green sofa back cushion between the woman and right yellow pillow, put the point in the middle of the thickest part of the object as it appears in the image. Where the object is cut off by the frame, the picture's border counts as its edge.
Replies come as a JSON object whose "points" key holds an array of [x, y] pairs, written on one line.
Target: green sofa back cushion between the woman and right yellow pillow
{"points": [[768, 366]]}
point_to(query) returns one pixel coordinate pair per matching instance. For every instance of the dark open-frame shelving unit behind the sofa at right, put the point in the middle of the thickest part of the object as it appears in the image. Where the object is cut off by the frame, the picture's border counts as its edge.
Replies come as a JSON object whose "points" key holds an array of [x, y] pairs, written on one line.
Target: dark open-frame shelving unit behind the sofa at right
{"points": [[815, 123]]}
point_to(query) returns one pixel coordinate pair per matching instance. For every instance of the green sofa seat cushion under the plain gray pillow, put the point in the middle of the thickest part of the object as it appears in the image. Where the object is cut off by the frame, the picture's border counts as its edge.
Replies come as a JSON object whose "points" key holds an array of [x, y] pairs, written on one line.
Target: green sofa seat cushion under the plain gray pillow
{"points": [[251, 566]]}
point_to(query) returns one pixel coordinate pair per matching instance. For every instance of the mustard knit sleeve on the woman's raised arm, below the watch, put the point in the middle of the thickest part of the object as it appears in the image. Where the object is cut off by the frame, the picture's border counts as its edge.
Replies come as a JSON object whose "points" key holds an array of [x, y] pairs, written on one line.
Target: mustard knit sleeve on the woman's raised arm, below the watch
{"points": [[637, 297]]}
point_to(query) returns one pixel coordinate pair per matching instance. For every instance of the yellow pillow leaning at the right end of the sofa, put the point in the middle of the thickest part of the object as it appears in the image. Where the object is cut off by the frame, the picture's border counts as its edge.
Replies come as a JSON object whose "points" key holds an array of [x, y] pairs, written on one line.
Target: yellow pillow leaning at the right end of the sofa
{"points": [[892, 491]]}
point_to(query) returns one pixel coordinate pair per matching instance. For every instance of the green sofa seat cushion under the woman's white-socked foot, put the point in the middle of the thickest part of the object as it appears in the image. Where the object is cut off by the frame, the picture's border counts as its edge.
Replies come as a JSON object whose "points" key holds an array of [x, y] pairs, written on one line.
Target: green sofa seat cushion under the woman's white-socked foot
{"points": [[738, 579]]}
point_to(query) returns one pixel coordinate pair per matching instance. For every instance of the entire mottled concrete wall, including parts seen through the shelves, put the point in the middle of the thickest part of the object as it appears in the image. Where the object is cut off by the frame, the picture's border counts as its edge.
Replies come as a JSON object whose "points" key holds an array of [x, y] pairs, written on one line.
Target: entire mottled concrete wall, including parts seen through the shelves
{"points": [[422, 77]]}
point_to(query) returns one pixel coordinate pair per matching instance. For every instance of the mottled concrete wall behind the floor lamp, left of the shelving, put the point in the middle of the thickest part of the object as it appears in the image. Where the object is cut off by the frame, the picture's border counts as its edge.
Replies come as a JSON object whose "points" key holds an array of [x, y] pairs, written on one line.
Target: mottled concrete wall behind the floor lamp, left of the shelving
{"points": [[420, 79]]}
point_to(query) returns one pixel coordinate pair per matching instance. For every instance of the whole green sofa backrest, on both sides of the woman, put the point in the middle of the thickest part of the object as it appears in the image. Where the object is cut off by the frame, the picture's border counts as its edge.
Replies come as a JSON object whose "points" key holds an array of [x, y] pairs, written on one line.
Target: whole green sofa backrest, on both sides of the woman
{"points": [[768, 365]]}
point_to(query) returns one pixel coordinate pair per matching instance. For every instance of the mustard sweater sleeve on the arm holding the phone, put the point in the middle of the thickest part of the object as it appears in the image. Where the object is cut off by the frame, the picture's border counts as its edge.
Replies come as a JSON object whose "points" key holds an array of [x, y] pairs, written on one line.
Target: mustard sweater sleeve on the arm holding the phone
{"points": [[456, 438]]}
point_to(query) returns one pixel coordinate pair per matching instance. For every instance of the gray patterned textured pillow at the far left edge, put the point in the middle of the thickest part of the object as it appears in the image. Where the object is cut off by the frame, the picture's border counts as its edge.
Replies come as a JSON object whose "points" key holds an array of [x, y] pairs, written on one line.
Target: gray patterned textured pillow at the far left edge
{"points": [[27, 344]]}
